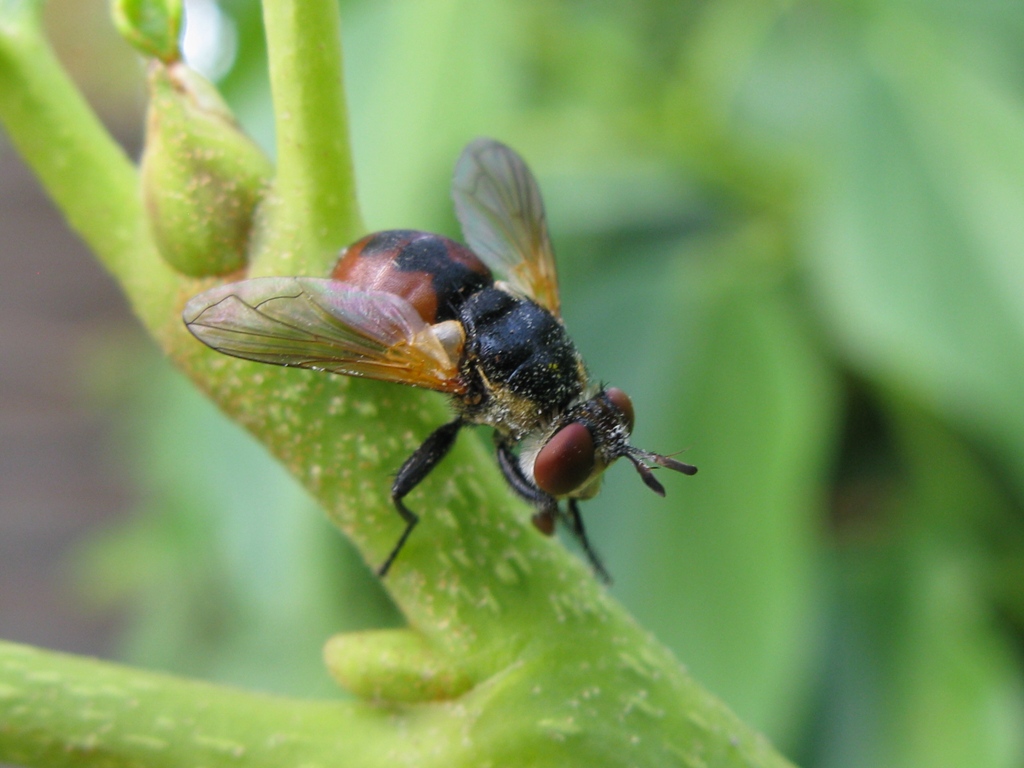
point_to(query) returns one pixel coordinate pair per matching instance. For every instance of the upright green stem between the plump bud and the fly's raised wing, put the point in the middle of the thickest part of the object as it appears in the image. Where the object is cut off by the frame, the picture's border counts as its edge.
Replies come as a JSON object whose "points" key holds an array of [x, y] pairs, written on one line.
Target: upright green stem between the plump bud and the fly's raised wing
{"points": [[313, 210]]}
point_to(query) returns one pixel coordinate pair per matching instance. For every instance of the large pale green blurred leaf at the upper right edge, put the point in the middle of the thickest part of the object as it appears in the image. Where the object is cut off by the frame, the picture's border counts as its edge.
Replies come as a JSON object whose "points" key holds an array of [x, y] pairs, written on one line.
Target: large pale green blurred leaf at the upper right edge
{"points": [[915, 247]]}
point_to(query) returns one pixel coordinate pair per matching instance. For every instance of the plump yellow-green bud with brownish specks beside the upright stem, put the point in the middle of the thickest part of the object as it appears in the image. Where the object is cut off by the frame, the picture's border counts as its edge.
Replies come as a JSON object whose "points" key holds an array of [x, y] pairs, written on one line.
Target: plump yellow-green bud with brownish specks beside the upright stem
{"points": [[202, 177]]}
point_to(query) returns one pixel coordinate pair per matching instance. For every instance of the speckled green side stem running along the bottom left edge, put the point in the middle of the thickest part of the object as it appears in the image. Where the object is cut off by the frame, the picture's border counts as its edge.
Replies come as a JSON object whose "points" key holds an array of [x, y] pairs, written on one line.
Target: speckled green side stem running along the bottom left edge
{"points": [[59, 710]]}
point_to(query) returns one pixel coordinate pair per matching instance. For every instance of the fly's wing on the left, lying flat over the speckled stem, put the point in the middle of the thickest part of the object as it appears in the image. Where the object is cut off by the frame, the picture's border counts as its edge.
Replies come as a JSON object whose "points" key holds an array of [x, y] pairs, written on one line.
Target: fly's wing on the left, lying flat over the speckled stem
{"points": [[326, 325]]}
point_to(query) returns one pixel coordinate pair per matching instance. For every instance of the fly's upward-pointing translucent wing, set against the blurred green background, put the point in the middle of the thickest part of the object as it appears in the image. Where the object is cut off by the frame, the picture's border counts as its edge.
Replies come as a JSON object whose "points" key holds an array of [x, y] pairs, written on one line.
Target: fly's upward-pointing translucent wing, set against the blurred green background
{"points": [[499, 206]]}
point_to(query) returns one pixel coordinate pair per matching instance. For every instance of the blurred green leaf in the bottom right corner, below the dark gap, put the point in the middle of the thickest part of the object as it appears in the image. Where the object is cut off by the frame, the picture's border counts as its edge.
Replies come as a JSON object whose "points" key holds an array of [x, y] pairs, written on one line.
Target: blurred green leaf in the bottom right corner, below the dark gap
{"points": [[937, 679]]}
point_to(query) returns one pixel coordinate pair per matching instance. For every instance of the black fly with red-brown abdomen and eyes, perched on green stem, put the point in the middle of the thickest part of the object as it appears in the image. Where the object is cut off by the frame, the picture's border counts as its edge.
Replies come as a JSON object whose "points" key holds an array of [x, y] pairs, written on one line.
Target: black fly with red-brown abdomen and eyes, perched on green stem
{"points": [[417, 309]]}
